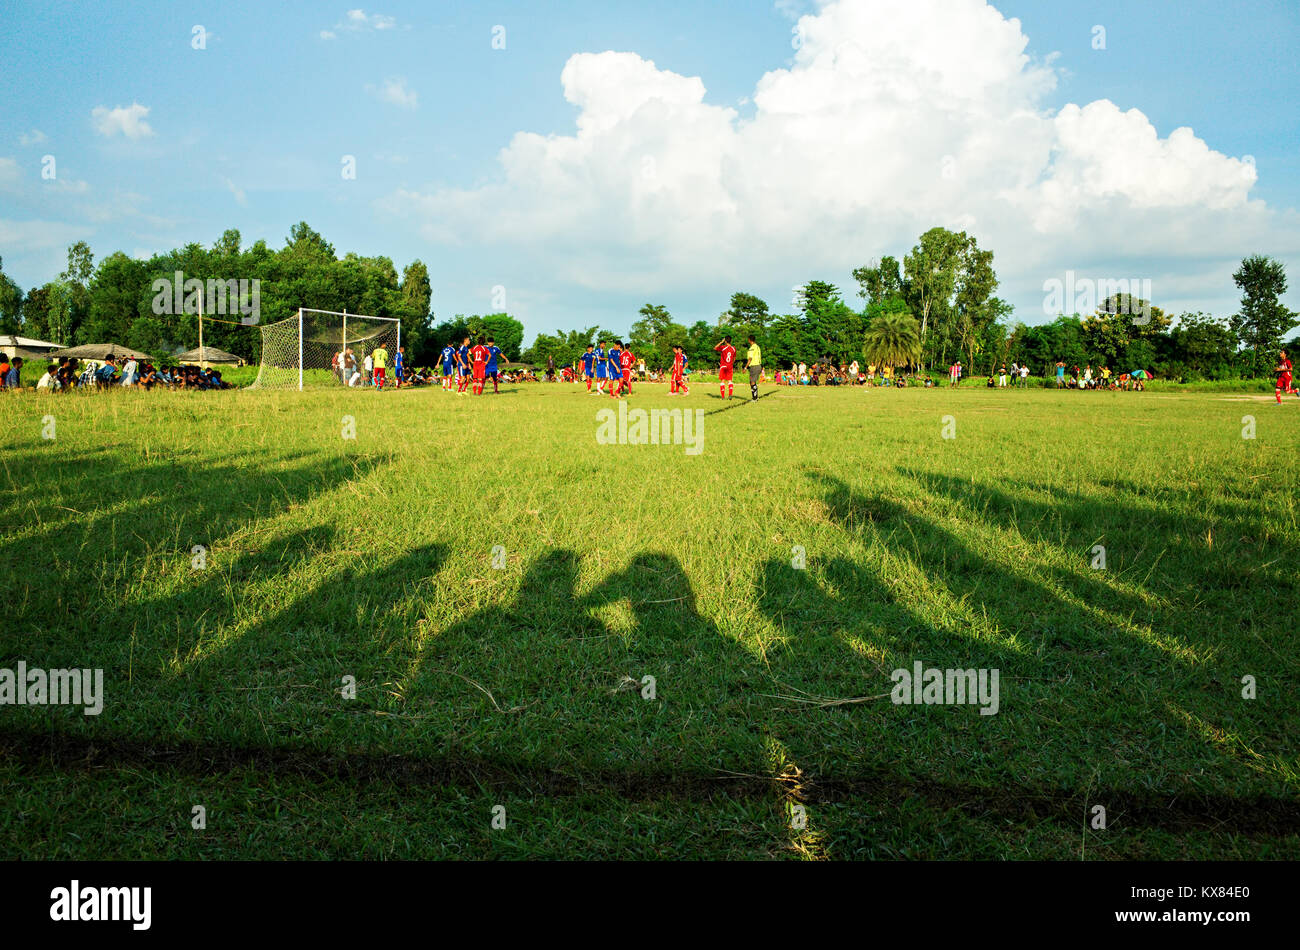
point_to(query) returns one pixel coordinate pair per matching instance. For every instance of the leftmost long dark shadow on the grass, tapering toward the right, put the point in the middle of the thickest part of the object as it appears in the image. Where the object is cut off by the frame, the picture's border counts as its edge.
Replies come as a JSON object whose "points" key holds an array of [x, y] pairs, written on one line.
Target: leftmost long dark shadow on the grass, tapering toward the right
{"points": [[103, 514]]}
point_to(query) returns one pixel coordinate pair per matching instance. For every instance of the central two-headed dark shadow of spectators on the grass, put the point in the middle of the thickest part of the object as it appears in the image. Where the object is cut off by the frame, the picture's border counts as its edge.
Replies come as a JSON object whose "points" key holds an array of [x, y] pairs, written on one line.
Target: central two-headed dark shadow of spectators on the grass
{"points": [[547, 682]]}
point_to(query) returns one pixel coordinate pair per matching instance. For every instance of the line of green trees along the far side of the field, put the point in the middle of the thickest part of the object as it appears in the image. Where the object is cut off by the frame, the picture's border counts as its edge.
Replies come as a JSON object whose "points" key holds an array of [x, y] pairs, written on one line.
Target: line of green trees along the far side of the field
{"points": [[938, 305]]}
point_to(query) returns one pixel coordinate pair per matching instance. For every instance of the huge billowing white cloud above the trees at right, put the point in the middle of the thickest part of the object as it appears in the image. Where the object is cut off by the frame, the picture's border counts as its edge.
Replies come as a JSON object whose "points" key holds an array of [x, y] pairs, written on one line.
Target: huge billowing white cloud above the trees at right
{"points": [[890, 120]]}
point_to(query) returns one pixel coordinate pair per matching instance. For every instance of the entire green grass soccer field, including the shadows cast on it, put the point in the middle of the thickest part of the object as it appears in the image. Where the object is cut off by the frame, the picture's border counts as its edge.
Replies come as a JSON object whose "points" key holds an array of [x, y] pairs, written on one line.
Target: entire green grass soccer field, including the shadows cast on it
{"points": [[522, 686]]}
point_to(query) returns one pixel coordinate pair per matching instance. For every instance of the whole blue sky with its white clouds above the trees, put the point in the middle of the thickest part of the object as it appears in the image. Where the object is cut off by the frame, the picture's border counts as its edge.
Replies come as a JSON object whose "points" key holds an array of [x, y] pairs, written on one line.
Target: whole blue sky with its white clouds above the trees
{"points": [[250, 133]]}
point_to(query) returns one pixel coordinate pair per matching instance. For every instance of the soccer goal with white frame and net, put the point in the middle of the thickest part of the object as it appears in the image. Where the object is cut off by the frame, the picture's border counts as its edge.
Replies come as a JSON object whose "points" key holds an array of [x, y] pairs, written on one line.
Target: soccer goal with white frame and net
{"points": [[313, 349]]}
